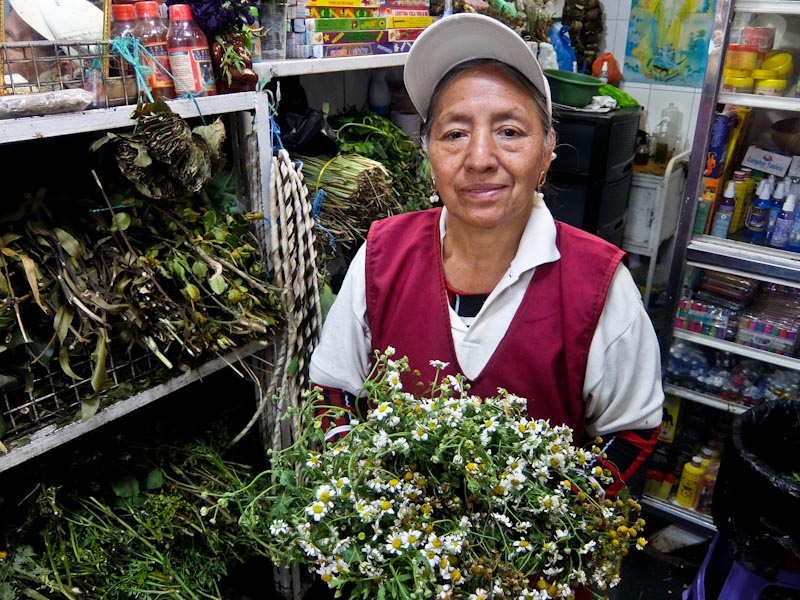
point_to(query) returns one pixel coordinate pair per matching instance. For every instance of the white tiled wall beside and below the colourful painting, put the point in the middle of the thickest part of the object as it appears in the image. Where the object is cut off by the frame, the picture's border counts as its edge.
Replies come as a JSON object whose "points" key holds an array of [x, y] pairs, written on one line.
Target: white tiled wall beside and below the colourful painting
{"points": [[654, 97]]}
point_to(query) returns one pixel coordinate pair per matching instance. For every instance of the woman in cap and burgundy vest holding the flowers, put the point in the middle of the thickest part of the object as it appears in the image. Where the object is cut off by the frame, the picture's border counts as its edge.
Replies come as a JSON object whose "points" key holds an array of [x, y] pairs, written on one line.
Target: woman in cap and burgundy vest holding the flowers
{"points": [[491, 283]]}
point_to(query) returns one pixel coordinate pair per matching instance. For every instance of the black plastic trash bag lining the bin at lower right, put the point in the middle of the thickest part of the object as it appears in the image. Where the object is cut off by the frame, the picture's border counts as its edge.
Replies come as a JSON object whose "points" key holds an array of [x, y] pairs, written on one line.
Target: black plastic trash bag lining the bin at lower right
{"points": [[756, 503]]}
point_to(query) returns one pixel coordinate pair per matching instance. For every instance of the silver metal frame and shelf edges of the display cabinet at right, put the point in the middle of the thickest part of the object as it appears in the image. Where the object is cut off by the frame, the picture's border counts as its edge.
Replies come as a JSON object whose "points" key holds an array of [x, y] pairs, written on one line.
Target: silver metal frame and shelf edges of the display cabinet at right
{"points": [[729, 256]]}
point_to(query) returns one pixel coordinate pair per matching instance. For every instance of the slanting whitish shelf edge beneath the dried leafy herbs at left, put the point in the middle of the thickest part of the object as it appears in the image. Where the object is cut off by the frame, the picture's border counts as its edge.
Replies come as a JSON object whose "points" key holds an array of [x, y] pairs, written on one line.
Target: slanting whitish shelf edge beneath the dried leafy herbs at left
{"points": [[53, 436]]}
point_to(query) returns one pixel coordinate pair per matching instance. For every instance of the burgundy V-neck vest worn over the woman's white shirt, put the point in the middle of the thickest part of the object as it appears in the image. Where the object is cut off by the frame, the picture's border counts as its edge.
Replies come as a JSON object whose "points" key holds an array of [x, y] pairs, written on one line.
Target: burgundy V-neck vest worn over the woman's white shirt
{"points": [[542, 356]]}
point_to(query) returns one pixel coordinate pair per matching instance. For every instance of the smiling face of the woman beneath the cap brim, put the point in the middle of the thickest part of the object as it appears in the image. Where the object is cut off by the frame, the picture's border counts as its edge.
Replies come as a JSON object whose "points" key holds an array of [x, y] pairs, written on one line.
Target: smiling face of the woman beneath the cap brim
{"points": [[487, 148]]}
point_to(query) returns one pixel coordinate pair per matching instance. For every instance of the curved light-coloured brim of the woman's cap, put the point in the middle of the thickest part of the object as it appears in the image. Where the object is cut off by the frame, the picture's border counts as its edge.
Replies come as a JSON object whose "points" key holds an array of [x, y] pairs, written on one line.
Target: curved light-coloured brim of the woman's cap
{"points": [[458, 38]]}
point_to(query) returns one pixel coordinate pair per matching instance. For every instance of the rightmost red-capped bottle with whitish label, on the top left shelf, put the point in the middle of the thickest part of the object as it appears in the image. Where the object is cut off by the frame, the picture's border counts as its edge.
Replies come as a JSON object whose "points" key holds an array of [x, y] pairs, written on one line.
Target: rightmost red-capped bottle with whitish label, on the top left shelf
{"points": [[189, 54]]}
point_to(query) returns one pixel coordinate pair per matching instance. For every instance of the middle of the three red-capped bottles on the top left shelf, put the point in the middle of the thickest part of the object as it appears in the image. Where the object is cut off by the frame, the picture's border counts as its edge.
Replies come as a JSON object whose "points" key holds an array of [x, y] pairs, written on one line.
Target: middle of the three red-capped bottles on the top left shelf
{"points": [[153, 34]]}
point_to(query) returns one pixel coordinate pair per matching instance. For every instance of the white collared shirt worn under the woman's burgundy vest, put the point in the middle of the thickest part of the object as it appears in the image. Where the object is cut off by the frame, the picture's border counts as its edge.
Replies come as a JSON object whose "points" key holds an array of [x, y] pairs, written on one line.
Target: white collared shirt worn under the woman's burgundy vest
{"points": [[622, 387]]}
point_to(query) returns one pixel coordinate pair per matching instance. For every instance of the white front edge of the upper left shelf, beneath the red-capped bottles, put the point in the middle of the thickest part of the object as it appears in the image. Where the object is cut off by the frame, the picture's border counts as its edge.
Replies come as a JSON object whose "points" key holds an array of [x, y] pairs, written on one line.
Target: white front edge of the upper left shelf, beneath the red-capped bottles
{"points": [[104, 119]]}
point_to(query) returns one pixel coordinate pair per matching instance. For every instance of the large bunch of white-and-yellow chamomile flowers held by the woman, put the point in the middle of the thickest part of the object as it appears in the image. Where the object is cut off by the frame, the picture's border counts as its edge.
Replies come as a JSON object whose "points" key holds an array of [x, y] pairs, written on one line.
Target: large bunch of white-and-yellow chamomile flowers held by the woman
{"points": [[445, 495]]}
